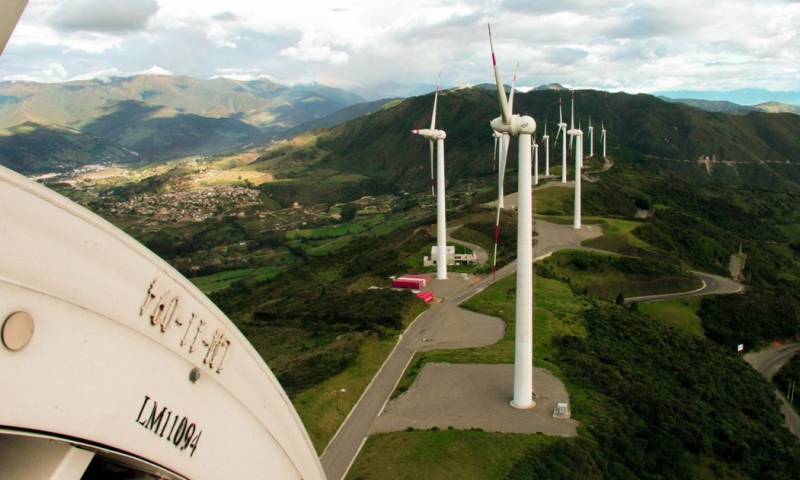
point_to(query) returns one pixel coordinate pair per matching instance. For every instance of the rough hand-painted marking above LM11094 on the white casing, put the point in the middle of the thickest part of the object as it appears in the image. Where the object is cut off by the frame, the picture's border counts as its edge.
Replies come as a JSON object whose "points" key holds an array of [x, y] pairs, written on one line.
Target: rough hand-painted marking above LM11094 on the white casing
{"points": [[163, 309]]}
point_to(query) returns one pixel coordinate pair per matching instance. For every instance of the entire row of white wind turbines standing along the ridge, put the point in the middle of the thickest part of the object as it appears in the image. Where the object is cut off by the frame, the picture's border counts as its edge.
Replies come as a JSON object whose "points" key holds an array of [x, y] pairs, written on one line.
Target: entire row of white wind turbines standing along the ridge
{"points": [[504, 127]]}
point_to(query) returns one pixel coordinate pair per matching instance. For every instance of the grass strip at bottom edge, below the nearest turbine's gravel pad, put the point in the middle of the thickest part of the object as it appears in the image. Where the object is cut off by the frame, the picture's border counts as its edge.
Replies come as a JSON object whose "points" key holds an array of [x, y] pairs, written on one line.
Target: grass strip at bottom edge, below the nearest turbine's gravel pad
{"points": [[444, 454]]}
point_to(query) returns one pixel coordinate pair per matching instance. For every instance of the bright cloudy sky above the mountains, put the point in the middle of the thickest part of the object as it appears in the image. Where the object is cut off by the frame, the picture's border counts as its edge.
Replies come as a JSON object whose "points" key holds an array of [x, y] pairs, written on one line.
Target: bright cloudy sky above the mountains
{"points": [[615, 45]]}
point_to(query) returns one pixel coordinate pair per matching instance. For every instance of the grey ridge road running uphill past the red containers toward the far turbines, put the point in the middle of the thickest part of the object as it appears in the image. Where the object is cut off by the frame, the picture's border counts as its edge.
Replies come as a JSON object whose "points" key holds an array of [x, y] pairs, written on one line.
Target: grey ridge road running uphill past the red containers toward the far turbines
{"points": [[430, 332]]}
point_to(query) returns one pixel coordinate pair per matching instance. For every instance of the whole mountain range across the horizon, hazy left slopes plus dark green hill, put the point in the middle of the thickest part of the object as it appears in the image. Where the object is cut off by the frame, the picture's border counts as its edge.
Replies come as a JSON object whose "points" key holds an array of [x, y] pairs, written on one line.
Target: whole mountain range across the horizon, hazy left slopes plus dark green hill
{"points": [[149, 118]]}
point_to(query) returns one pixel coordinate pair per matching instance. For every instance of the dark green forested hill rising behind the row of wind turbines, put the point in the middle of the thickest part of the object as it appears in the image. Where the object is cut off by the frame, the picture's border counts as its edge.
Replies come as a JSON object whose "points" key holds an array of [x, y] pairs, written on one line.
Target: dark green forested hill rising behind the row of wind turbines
{"points": [[756, 148]]}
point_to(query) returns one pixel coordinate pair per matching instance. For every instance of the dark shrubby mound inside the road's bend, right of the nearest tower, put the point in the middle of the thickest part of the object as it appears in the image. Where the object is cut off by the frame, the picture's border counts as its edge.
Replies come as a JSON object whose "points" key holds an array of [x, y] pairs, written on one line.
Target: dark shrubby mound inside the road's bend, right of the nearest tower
{"points": [[607, 276]]}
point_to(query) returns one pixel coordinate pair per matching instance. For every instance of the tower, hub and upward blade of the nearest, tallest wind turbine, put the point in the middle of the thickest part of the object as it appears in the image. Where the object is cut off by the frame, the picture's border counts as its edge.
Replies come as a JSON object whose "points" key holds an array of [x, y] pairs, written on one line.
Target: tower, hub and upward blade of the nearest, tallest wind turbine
{"points": [[523, 128]]}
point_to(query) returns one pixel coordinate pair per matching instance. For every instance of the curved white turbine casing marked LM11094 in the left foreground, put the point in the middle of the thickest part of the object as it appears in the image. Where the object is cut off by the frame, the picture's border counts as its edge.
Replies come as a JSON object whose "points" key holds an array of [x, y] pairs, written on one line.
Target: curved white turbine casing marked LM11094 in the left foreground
{"points": [[117, 335]]}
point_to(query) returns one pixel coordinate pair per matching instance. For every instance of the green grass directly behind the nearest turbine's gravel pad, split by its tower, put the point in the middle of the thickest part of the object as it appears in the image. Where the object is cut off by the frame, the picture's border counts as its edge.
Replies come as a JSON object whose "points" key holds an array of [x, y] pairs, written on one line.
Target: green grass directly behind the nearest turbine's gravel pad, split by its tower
{"points": [[558, 312]]}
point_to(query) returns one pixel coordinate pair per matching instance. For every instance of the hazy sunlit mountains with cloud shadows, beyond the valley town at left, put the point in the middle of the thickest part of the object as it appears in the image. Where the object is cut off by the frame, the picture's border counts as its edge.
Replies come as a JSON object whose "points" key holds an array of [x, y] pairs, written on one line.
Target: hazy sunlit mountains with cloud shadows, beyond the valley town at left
{"points": [[146, 118]]}
